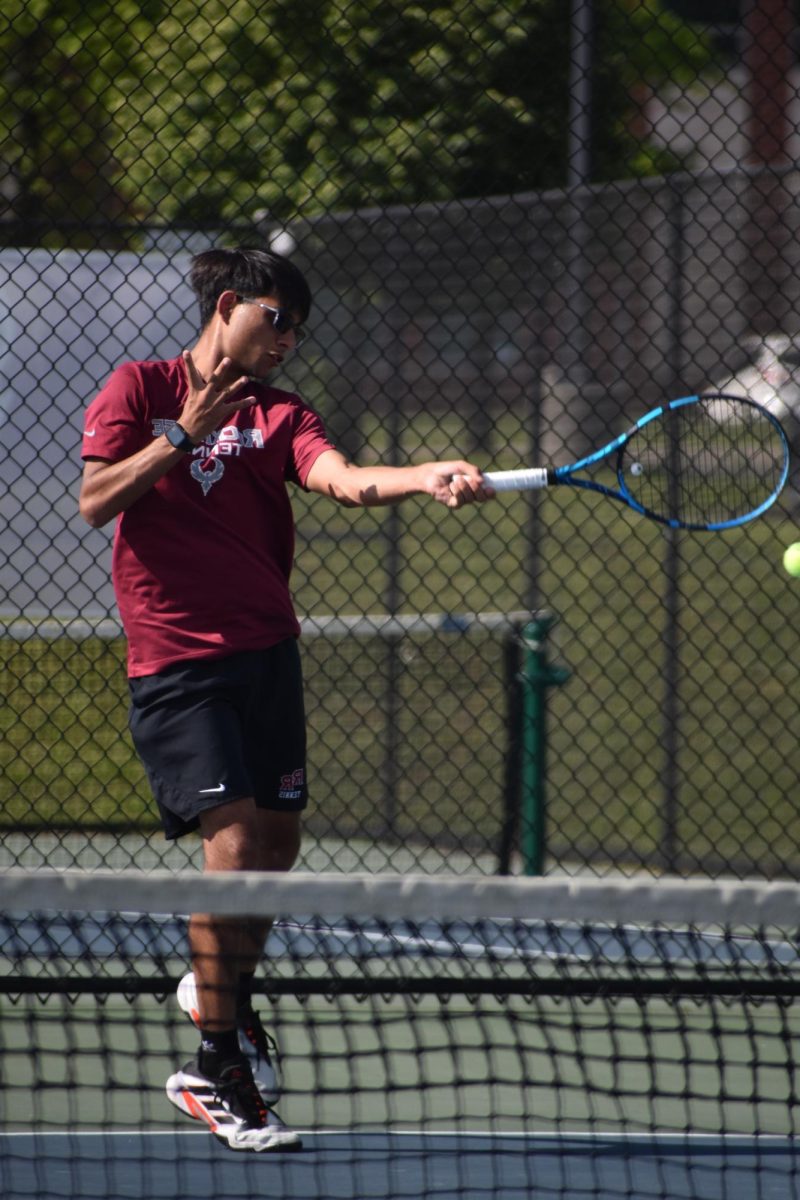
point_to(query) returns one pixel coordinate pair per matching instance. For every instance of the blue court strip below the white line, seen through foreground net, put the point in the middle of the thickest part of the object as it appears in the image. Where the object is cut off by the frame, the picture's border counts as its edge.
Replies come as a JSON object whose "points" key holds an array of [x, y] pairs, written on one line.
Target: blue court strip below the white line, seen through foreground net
{"points": [[449, 1167]]}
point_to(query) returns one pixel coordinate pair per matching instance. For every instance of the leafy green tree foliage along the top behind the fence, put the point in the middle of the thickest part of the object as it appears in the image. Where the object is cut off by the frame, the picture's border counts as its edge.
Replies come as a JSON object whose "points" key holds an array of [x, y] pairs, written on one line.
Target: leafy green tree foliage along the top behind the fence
{"points": [[187, 113]]}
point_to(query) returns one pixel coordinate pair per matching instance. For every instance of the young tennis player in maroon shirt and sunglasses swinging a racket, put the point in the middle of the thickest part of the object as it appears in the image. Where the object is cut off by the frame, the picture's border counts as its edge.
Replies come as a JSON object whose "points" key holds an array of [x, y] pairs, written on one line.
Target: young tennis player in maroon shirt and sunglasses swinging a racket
{"points": [[193, 458]]}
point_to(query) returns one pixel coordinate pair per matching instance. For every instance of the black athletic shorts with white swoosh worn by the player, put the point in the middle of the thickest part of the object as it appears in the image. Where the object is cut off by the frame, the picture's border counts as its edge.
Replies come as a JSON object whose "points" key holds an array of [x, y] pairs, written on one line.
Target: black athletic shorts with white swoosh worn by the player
{"points": [[210, 731]]}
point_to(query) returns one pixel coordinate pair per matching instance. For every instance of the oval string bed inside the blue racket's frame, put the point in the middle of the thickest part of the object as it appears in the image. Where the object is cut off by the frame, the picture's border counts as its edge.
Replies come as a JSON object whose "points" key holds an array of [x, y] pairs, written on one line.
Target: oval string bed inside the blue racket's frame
{"points": [[705, 464]]}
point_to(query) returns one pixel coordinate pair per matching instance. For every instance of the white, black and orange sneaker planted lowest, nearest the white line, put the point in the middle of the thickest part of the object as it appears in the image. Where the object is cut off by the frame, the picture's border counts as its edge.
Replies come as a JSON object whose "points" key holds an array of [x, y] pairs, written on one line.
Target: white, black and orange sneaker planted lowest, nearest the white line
{"points": [[232, 1107]]}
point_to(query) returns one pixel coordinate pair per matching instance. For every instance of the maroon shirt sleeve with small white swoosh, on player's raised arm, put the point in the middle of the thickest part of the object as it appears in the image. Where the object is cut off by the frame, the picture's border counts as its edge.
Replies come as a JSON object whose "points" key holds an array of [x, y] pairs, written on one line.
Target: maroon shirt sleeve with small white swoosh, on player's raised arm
{"points": [[116, 424]]}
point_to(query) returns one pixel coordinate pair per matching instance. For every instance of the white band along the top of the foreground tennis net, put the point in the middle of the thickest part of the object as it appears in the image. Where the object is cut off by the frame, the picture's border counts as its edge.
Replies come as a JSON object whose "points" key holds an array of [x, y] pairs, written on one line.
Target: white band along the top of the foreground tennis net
{"points": [[615, 901]]}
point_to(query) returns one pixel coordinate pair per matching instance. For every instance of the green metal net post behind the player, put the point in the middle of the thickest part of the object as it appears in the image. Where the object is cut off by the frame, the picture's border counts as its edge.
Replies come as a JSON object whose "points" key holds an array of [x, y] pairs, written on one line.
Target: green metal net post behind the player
{"points": [[538, 676]]}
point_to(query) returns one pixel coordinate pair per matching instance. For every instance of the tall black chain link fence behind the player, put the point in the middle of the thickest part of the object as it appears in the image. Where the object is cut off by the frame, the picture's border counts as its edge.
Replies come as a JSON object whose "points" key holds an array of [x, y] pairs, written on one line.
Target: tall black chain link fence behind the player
{"points": [[525, 225]]}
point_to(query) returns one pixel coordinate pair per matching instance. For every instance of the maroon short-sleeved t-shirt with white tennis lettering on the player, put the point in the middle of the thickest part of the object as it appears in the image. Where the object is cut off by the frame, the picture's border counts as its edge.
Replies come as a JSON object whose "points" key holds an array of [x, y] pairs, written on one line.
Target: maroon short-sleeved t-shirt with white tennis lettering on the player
{"points": [[202, 561]]}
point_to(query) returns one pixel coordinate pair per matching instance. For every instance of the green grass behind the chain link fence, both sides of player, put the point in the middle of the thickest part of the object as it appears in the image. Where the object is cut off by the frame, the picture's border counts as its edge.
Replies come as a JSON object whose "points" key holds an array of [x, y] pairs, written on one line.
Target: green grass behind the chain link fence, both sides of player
{"points": [[68, 763]]}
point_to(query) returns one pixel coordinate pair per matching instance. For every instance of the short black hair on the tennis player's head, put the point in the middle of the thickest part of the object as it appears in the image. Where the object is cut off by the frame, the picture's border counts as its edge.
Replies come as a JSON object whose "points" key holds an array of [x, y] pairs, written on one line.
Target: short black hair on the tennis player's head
{"points": [[250, 273]]}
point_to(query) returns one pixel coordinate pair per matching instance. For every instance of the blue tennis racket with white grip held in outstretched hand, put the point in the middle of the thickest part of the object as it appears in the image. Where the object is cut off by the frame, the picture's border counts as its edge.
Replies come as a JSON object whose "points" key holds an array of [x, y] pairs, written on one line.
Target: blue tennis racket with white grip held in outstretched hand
{"points": [[702, 463]]}
